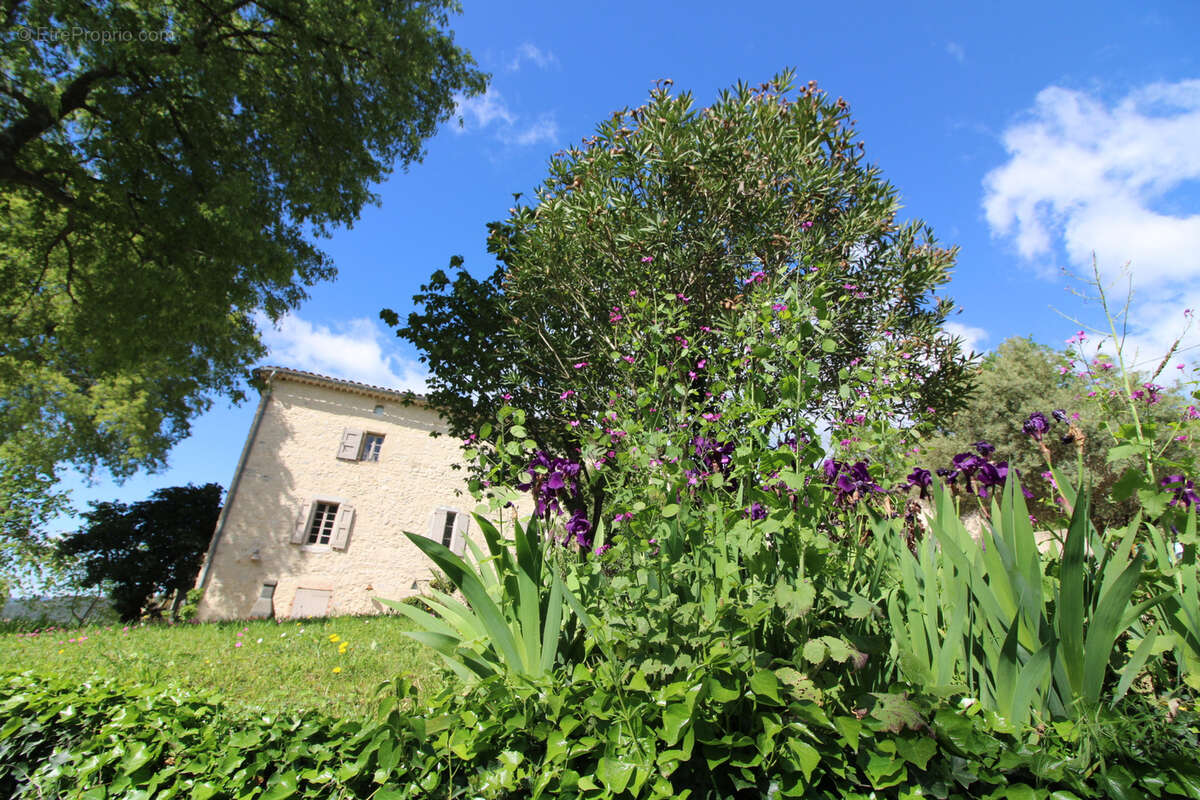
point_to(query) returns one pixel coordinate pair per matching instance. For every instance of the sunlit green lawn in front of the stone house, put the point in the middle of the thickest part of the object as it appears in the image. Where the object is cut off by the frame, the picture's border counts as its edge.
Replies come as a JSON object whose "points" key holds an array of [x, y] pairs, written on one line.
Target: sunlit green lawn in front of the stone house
{"points": [[261, 665]]}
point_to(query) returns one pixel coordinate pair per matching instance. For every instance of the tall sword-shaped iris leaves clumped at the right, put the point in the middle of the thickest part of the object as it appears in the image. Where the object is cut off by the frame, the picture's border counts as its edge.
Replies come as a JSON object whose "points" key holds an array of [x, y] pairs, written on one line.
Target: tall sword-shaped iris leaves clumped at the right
{"points": [[1027, 645]]}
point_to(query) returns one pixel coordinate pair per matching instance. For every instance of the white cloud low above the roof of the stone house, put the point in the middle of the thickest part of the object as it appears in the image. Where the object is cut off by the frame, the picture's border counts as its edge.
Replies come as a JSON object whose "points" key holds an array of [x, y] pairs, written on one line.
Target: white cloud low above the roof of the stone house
{"points": [[355, 351]]}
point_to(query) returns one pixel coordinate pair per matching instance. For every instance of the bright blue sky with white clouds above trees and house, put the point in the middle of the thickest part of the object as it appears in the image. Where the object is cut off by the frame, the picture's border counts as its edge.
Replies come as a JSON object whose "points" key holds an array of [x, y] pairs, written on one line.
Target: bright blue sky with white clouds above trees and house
{"points": [[1030, 135]]}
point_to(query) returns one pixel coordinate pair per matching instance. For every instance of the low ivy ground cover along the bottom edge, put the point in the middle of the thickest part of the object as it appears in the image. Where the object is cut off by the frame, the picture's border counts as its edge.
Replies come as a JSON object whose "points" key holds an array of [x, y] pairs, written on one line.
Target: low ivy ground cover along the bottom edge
{"points": [[724, 730]]}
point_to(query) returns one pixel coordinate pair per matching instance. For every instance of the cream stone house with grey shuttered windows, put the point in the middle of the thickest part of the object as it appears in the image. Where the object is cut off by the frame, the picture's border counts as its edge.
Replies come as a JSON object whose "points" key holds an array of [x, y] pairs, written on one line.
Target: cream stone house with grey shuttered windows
{"points": [[332, 476]]}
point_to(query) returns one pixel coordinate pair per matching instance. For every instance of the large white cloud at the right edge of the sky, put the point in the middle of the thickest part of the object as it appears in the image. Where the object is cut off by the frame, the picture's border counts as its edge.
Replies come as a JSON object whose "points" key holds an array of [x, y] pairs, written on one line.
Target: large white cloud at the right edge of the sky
{"points": [[1117, 181]]}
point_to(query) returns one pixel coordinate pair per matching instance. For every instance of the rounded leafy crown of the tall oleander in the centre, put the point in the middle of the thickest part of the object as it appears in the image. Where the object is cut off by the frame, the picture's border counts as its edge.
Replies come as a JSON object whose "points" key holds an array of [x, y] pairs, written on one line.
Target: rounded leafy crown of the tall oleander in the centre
{"points": [[767, 184]]}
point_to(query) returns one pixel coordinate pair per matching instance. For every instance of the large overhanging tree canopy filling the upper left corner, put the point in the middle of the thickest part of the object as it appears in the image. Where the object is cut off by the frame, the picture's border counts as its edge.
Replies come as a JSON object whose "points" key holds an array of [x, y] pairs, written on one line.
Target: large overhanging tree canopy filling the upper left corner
{"points": [[163, 169]]}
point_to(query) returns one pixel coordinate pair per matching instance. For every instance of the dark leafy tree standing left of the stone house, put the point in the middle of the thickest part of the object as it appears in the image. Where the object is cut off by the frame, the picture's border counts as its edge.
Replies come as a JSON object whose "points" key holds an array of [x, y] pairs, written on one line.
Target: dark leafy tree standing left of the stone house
{"points": [[147, 549]]}
